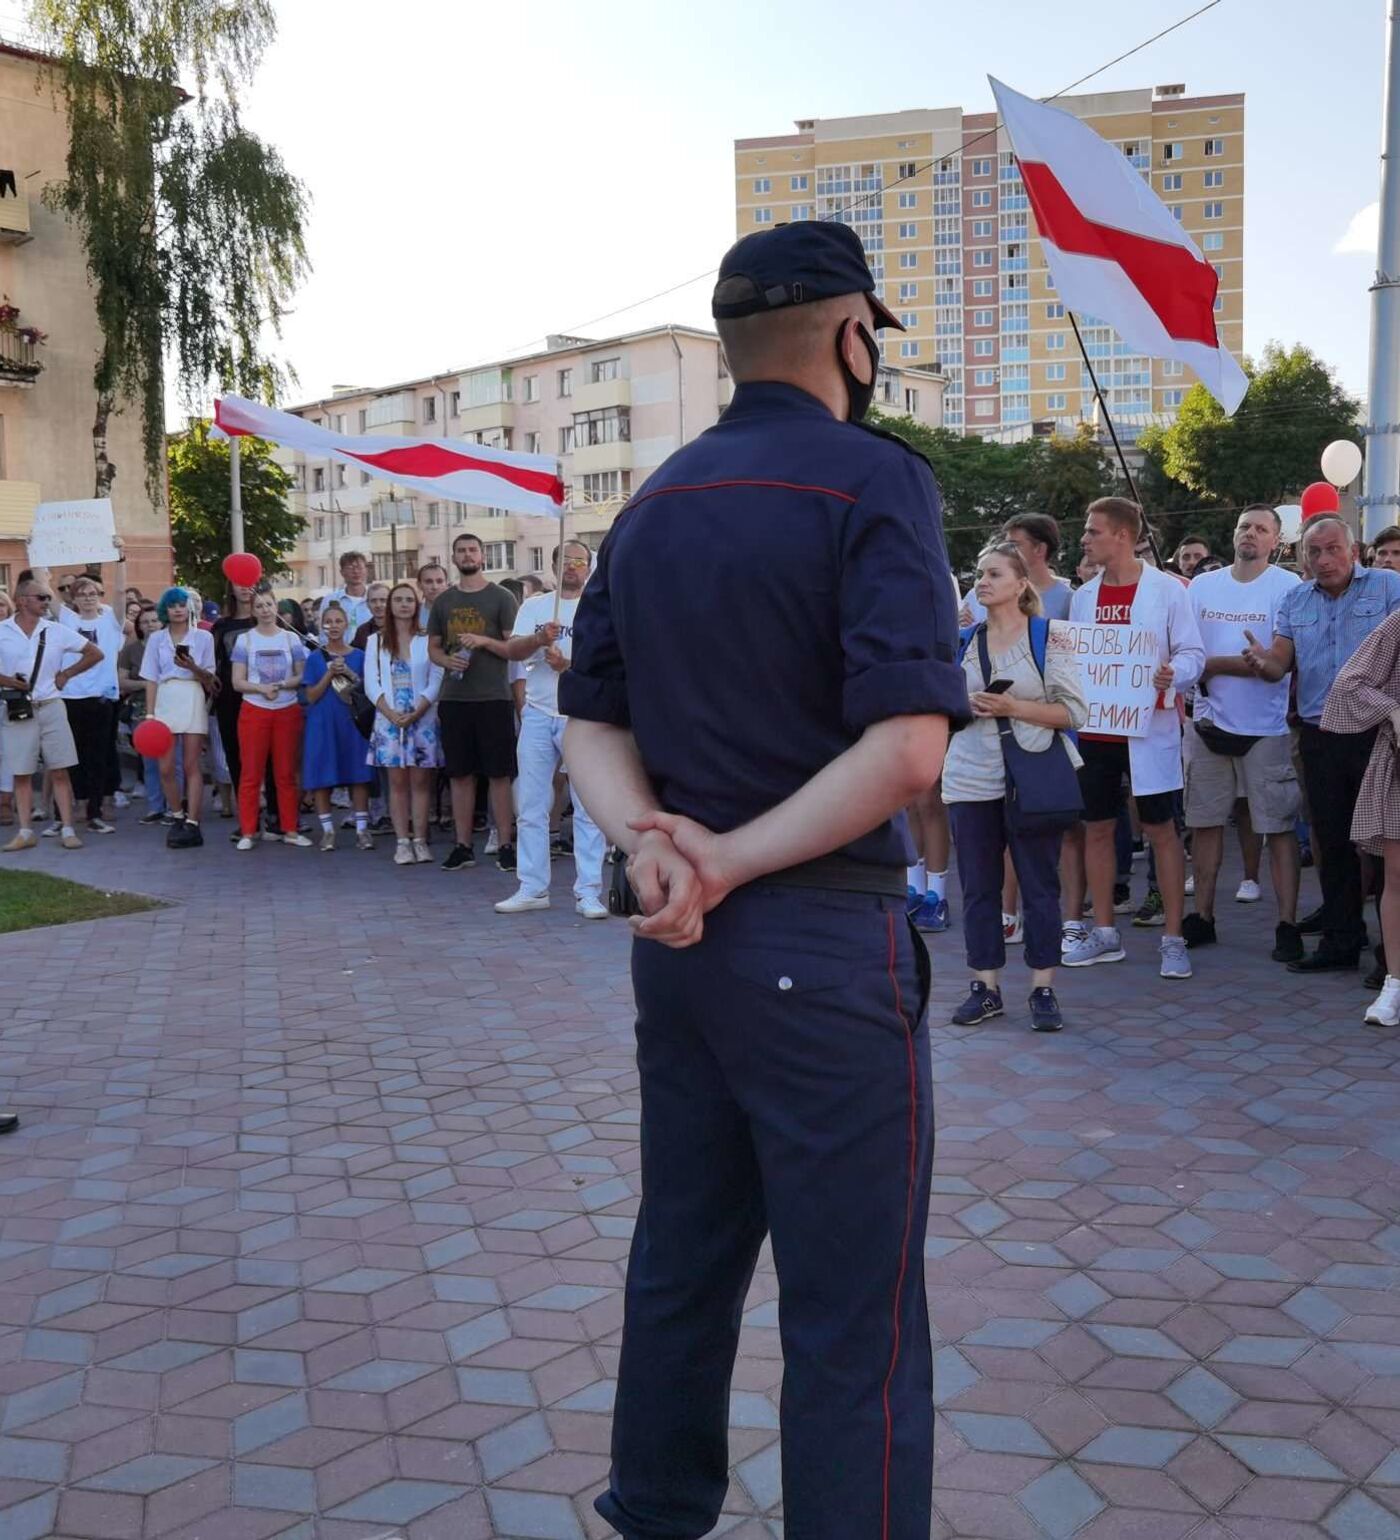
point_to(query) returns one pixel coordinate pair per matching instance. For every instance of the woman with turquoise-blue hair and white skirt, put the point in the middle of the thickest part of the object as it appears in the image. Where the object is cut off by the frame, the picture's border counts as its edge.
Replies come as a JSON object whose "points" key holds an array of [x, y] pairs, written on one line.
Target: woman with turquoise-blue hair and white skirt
{"points": [[179, 669]]}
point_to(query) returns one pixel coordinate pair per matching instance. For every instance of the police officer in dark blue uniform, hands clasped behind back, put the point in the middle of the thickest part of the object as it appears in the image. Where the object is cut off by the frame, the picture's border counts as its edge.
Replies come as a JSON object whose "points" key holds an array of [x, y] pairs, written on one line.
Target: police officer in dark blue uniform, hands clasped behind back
{"points": [[763, 678]]}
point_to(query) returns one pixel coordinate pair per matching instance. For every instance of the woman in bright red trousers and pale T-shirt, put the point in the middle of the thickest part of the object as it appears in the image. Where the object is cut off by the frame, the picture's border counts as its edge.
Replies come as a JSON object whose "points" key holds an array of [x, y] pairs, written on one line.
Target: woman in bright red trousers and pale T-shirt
{"points": [[267, 669]]}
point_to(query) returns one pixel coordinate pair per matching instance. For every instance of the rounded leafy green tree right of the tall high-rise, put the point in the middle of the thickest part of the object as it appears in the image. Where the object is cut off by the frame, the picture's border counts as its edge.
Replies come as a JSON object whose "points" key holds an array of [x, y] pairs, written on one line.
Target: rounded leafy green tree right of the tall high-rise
{"points": [[1271, 449]]}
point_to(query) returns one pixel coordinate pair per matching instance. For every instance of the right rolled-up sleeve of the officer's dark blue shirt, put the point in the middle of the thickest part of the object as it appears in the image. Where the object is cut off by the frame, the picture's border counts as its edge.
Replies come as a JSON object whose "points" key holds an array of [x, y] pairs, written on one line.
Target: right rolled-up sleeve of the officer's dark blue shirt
{"points": [[899, 620]]}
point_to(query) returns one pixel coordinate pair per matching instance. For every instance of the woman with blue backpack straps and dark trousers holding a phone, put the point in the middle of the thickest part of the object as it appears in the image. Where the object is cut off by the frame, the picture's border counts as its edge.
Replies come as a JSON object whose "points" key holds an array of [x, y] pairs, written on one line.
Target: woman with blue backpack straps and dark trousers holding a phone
{"points": [[1040, 692]]}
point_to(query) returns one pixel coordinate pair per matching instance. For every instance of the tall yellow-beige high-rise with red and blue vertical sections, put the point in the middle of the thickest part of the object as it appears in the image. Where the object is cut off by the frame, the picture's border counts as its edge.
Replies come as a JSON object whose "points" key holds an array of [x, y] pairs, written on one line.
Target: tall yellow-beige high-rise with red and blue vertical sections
{"points": [[937, 199]]}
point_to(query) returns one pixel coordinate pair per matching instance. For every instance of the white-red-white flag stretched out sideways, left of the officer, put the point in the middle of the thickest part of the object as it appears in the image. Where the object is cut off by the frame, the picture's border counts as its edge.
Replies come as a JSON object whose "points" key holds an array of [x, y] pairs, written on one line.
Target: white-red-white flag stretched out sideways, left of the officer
{"points": [[438, 467]]}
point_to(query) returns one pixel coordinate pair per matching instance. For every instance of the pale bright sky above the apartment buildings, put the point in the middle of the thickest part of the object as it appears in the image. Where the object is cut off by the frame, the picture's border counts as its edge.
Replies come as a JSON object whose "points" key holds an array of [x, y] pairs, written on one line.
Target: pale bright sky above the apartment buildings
{"points": [[486, 175]]}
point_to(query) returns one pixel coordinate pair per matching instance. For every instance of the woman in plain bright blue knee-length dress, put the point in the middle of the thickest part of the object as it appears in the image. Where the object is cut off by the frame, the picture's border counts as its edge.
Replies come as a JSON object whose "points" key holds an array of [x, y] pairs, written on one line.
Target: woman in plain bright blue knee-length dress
{"points": [[333, 752]]}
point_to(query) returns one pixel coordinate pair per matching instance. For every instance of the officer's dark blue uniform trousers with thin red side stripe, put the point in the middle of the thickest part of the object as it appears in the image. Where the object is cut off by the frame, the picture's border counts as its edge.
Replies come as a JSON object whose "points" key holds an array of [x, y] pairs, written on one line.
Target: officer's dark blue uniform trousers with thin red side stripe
{"points": [[786, 1091]]}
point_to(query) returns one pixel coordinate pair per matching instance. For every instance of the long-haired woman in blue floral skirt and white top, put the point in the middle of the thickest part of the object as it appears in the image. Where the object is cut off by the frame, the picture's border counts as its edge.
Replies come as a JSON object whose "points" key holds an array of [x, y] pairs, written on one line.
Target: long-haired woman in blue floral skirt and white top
{"points": [[403, 683]]}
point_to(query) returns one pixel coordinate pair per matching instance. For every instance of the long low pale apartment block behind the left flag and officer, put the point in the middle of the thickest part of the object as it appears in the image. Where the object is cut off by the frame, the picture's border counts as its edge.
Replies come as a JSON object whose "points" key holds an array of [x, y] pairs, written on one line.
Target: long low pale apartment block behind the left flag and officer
{"points": [[612, 410]]}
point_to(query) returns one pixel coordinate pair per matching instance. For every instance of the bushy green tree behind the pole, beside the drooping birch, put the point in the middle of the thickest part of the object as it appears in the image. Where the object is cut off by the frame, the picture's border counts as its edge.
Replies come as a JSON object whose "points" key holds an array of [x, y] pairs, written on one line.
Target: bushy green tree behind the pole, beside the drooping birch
{"points": [[199, 495]]}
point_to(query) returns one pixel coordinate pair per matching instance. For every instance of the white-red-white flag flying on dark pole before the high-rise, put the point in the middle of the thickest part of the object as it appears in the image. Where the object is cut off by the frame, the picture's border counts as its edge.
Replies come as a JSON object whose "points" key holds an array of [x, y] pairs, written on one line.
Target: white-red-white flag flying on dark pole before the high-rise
{"points": [[1114, 249]]}
